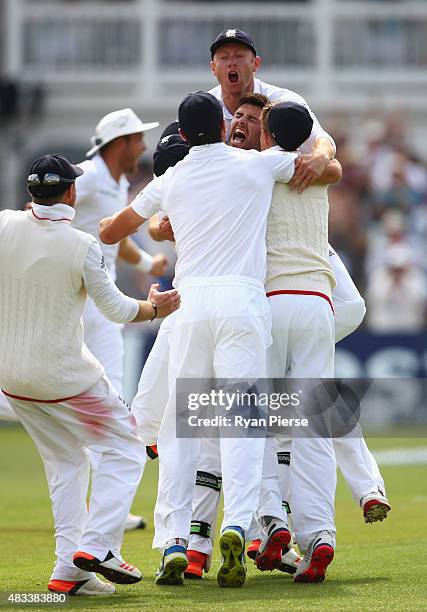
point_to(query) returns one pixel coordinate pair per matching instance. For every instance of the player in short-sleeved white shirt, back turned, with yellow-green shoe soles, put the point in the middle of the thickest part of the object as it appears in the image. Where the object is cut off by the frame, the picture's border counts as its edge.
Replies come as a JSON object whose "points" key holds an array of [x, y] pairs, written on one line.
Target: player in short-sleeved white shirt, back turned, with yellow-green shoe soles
{"points": [[216, 198]]}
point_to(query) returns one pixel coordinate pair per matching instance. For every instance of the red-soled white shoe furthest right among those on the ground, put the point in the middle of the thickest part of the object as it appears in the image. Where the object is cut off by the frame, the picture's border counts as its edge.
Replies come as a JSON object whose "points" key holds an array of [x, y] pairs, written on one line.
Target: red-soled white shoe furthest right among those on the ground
{"points": [[318, 556]]}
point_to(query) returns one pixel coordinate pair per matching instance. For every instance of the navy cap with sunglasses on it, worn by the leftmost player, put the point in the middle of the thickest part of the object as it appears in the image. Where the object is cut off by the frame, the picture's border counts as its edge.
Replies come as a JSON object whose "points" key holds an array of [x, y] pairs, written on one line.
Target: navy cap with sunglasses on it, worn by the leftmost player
{"points": [[50, 175]]}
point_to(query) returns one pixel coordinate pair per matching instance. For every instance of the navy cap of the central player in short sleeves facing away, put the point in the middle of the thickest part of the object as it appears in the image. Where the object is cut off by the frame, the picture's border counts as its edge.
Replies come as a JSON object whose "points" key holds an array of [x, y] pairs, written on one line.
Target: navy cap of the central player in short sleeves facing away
{"points": [[200, 116]]}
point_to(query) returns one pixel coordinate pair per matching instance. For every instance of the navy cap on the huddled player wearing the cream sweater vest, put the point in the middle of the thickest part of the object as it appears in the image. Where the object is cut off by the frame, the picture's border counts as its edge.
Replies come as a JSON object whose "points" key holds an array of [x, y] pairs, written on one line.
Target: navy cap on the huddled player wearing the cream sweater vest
{"points": [[290, 124]]}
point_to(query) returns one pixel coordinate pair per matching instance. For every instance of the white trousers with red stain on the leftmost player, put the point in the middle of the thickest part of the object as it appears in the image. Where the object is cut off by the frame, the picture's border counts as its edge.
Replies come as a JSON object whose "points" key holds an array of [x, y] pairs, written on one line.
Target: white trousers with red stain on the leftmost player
{"points": [[63, 432]]}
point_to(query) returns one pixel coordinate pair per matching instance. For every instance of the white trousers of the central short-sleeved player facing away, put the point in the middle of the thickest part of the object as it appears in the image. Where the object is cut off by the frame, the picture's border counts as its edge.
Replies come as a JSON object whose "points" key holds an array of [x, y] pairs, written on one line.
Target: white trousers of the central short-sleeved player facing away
{"points": [[222, 330]]}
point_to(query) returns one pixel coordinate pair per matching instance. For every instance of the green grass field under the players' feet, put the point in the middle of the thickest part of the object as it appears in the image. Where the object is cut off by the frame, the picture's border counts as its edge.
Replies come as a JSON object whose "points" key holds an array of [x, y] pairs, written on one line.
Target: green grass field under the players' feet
{"points": [[379, 566]]}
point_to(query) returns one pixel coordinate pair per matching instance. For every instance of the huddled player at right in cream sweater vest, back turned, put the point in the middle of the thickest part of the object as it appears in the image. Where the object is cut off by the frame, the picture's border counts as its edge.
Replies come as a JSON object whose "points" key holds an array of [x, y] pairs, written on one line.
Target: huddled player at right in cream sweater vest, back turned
{"points": [[299, 285]]}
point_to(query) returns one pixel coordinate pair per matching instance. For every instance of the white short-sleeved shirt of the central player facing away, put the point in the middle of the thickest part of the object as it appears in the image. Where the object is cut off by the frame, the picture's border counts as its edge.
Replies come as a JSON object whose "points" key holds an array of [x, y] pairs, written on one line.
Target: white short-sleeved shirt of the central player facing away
{"points": [[217, 199]]}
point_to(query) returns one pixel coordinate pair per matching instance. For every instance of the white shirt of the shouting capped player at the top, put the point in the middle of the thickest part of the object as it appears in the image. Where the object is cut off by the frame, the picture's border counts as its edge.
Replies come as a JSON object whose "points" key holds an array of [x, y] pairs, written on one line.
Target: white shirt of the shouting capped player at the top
{"points": [[274, 93]]}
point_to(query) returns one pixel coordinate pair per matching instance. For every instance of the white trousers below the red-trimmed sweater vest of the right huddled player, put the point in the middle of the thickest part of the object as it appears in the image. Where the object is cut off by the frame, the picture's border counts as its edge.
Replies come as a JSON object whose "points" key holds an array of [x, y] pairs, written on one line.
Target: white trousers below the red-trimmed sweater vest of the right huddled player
{"points": [[303, 348]]}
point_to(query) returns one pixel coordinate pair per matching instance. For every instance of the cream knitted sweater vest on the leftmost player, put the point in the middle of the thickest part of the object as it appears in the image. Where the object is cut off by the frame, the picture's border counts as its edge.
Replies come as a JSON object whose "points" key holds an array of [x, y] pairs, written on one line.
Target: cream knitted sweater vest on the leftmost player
{"points": [[42, 296]]}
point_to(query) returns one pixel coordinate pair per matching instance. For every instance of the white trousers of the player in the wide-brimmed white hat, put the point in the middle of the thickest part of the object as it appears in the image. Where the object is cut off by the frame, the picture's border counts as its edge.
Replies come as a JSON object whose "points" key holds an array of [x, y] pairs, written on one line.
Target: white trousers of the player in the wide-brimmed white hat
{"points": [[104, 339]]}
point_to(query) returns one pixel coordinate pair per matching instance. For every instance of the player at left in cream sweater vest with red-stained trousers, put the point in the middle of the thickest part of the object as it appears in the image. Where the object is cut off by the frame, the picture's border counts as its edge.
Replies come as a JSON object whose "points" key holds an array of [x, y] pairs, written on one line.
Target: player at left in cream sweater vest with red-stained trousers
{"points": [[55, 385]]}
